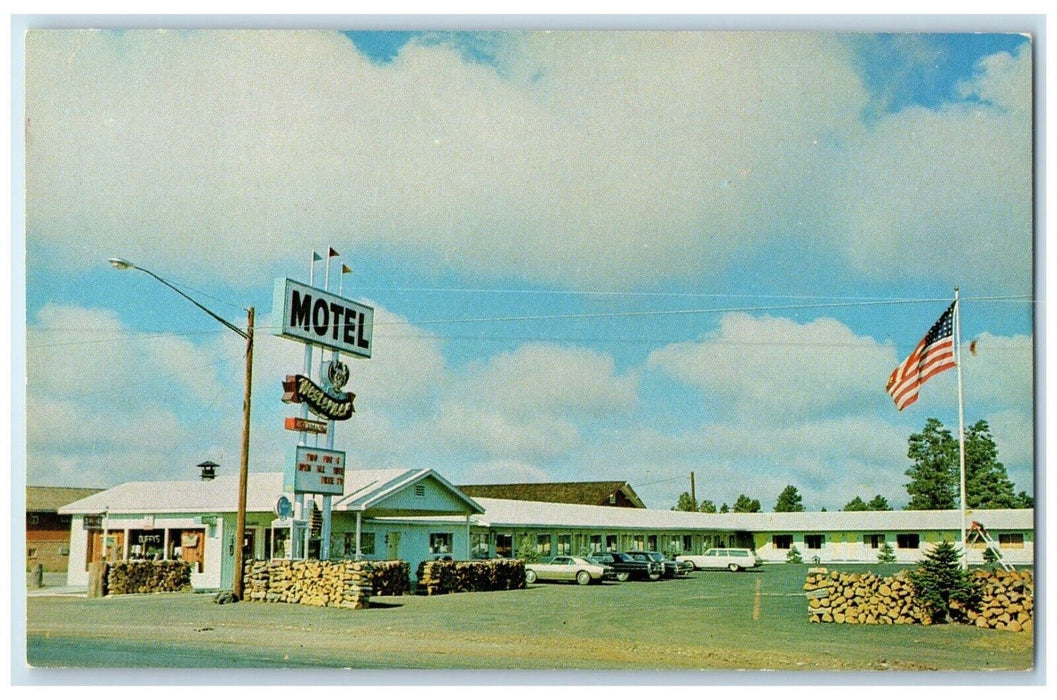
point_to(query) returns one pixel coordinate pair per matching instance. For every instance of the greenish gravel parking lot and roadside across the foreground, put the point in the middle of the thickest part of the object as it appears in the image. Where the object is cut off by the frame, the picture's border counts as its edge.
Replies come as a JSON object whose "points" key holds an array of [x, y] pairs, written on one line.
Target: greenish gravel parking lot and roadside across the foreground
{"points": [[712, 621]]}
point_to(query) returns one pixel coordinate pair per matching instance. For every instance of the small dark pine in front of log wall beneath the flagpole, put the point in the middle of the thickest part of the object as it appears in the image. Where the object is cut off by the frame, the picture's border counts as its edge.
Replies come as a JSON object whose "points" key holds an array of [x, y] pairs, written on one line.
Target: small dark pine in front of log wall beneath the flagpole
{"points": [[942, 587]]}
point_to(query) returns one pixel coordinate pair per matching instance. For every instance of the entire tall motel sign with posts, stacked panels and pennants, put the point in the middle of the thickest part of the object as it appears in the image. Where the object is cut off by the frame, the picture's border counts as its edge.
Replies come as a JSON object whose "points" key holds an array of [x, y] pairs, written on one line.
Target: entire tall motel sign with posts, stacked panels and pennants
{"points": [[338, 327]]}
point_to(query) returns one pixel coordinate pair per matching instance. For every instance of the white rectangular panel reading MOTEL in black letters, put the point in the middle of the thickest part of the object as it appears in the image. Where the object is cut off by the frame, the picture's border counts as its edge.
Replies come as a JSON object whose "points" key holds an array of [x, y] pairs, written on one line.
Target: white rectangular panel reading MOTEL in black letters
{"points": [[318, 318]]}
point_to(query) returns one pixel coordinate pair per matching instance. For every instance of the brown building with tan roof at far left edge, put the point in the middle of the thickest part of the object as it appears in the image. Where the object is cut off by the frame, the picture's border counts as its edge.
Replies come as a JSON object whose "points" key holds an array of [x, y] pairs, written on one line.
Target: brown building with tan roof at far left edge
{"points": [[47, 530]]}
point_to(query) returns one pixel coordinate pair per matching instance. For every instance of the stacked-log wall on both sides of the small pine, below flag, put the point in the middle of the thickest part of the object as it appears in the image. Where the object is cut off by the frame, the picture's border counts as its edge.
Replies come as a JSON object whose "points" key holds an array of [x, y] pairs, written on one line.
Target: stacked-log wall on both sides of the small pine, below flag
{"points": [[866, 599]]}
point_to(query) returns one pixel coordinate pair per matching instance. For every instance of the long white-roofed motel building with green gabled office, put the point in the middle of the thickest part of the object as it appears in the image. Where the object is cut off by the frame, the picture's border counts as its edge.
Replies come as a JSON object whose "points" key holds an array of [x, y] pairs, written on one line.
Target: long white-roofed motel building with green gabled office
{"points": [[417, 515]]}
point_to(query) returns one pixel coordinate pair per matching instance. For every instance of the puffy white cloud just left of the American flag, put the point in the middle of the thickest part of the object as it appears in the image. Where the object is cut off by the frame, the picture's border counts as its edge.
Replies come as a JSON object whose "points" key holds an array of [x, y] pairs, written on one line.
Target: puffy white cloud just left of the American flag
{"points": [[775, 371]]}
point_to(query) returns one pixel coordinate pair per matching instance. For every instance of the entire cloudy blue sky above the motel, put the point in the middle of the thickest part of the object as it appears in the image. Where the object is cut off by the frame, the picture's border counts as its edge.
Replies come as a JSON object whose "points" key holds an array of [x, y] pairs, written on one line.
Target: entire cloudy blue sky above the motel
{"points": [[606, 255]]}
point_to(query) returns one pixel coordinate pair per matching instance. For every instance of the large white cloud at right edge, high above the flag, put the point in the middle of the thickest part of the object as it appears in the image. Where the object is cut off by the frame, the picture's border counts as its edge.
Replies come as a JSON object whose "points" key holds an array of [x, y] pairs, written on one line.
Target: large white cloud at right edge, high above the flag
{"points": [[943, 194]]}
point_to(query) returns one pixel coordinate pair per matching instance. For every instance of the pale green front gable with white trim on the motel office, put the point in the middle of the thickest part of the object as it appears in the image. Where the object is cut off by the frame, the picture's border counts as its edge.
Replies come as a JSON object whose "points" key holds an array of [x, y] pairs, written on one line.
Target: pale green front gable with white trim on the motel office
{"points": [[414, 493]]}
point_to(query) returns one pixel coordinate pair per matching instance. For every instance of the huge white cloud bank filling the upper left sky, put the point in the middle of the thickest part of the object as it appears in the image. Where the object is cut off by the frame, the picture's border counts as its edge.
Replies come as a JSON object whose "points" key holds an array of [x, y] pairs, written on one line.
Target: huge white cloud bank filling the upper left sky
{"points": [[609, 167]]}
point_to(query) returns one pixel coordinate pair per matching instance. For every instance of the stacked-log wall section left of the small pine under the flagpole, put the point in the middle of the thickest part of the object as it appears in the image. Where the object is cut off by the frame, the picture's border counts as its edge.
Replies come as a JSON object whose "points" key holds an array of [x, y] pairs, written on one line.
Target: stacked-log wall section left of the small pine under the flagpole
{"points": [[864, 599]]}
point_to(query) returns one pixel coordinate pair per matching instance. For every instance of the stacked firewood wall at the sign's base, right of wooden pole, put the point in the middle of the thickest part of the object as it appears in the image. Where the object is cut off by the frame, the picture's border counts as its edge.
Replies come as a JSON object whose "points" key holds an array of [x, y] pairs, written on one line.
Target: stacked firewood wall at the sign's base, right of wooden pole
{"points": [[335, 584]]}
